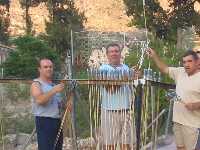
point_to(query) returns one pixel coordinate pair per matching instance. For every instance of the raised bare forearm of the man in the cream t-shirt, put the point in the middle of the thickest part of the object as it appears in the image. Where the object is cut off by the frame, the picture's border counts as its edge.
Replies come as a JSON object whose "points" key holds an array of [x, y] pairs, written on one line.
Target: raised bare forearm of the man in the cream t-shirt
{"points": [[159, 63]]}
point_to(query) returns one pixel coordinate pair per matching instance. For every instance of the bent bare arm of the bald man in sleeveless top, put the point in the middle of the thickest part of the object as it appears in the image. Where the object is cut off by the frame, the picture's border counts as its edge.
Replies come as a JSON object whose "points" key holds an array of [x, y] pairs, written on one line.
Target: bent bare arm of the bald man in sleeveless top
{"points": [[43, 98]]}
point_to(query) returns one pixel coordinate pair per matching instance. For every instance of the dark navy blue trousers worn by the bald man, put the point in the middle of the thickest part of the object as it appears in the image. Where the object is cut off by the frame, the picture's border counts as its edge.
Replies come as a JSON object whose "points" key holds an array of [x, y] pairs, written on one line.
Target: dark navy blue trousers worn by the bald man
{"points": [[47, 130]]}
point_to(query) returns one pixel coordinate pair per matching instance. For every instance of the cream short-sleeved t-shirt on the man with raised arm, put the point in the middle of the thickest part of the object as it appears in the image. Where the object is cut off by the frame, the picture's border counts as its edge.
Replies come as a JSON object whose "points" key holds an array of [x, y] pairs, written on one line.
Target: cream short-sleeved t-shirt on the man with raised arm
{"points": [[188, 88]]}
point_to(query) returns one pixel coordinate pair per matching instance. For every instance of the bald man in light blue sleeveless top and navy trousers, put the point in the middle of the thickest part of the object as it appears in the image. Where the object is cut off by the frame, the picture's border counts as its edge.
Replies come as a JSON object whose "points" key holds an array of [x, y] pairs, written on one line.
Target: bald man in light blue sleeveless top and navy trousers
{"points": [[46, 99]]}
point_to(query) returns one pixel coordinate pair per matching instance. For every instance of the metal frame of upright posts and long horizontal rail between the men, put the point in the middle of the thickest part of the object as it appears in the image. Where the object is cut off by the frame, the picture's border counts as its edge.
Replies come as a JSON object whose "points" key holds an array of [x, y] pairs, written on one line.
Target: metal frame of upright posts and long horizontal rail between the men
{"points": [[140, 84]]}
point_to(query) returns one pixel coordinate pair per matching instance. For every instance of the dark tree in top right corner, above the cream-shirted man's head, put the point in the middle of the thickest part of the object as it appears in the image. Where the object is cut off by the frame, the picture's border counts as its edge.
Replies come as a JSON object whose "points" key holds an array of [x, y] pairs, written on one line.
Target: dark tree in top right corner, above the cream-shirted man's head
{"points": [[182, 16]]}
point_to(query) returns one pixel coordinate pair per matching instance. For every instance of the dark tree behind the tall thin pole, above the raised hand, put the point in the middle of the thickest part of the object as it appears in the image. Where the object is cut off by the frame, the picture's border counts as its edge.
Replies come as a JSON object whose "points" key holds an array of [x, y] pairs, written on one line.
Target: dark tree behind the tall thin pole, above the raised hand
{"points": [[156, 17]]}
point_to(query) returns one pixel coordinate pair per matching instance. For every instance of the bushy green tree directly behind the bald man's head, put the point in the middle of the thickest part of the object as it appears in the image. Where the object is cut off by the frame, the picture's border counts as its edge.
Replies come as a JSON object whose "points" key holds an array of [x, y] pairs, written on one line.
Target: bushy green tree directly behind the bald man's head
{"points": [[23, 62]]}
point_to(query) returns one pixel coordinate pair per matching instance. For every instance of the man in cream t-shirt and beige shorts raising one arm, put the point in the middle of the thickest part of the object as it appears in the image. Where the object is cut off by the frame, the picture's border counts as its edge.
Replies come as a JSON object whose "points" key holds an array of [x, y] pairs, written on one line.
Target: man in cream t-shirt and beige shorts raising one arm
{"points": [[186, 113]]}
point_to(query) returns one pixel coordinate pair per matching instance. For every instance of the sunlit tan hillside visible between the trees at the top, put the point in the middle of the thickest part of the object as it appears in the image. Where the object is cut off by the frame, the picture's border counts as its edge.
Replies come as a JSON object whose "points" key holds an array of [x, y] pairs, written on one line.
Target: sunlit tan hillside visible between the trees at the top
{"points": [[102, 15]]}
